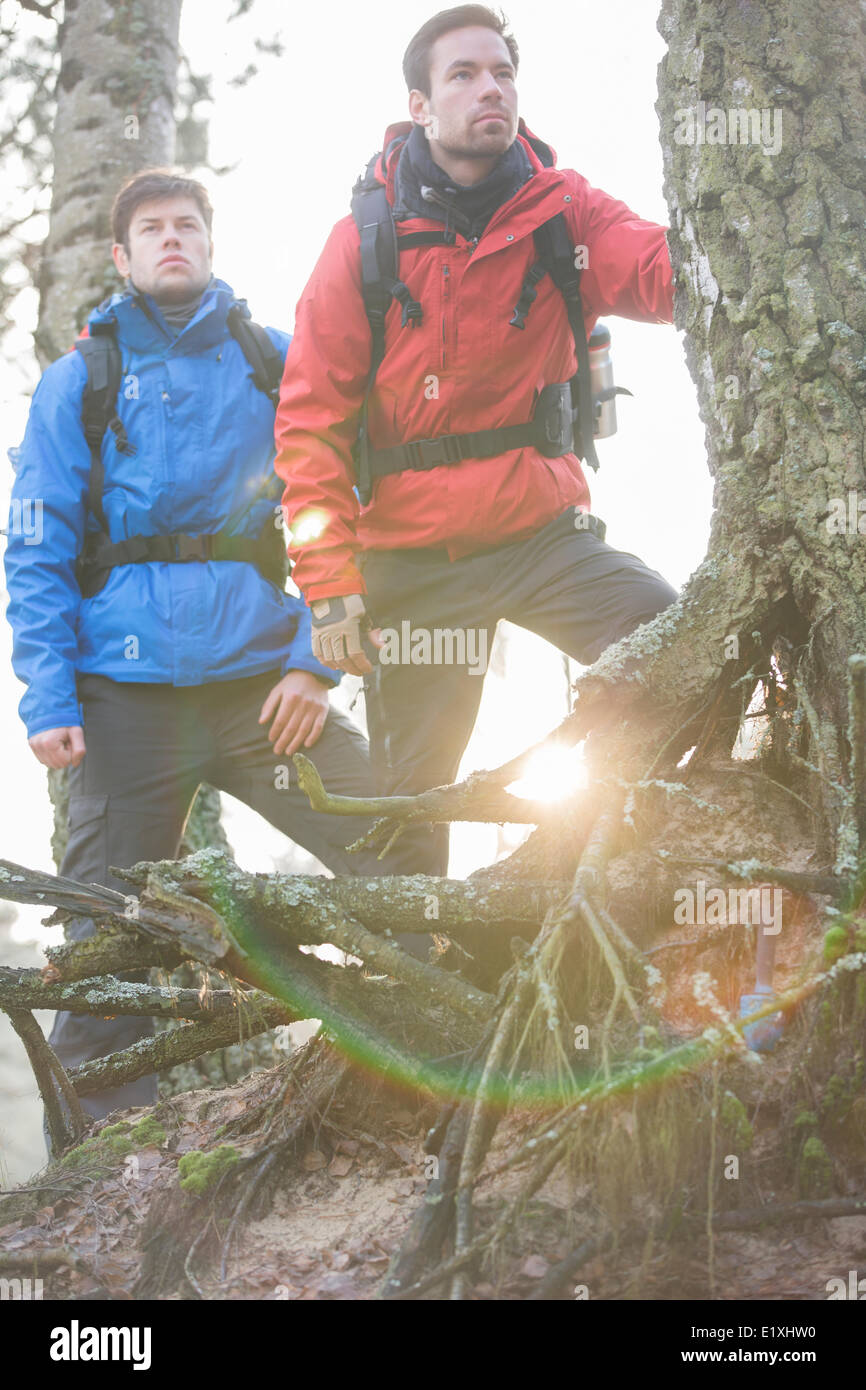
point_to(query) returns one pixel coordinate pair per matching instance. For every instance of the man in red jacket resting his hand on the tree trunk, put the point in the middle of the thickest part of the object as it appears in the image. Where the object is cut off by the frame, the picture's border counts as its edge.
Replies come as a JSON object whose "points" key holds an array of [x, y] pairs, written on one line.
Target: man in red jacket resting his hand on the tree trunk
{"points": [[458, 532]]}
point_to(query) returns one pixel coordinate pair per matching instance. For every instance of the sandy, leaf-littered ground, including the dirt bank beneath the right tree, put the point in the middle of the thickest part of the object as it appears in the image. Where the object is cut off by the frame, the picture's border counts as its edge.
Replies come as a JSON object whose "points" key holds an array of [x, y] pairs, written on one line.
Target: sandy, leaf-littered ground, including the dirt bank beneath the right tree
{"points": [[340, 1204]]}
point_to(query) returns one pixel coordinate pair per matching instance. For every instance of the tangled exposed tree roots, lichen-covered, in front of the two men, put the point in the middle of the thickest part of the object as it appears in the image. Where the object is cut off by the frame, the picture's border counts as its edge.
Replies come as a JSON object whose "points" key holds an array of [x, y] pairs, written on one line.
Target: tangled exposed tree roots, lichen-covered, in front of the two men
{"points": [[580, 965]]}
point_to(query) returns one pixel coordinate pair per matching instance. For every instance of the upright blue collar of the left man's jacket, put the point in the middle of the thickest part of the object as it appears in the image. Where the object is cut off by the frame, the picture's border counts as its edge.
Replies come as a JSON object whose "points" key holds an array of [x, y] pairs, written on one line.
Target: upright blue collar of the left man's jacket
{"points": [[138, 323]]}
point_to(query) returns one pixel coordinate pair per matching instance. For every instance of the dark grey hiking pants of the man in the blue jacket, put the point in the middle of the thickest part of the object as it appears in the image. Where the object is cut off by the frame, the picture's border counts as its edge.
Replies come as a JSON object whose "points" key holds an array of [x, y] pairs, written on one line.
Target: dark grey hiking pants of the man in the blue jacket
{"points": [[149, 746]]}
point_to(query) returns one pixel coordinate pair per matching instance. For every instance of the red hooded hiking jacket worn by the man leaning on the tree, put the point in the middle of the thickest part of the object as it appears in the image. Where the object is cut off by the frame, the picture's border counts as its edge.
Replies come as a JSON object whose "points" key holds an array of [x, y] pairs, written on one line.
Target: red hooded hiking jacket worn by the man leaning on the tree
{"points": [[461, 369]]}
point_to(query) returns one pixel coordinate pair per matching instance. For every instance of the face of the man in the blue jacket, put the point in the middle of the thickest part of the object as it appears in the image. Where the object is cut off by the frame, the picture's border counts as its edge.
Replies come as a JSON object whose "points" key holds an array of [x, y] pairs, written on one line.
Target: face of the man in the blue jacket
{"points": [[170, 251]]}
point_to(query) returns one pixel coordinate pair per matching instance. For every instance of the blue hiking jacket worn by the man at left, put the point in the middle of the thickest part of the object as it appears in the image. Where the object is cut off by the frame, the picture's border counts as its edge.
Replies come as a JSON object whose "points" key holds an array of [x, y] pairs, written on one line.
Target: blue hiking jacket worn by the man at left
{"points": [[205, 444]]}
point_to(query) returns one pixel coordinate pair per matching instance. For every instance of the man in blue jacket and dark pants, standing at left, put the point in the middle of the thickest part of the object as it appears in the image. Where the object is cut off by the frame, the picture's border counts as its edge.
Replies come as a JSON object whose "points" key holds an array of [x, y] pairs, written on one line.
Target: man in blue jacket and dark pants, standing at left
{"points": [[152, 628]]}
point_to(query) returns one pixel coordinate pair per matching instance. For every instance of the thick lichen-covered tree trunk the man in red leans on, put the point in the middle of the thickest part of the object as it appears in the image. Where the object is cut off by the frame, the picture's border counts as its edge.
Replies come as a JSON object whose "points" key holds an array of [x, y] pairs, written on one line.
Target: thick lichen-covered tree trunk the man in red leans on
{"points": [[769, 247]]}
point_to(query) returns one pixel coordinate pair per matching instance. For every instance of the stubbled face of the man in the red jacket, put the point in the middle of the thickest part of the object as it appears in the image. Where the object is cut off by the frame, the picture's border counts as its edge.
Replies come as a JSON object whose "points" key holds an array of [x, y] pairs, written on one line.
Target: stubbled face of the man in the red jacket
{"points": [[472, 111]]}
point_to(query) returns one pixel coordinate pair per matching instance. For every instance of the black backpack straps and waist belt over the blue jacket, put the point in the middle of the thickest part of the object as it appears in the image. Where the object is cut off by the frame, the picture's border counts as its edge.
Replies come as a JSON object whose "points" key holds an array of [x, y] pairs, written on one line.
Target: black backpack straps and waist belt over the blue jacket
{"points": [[101, 555]]}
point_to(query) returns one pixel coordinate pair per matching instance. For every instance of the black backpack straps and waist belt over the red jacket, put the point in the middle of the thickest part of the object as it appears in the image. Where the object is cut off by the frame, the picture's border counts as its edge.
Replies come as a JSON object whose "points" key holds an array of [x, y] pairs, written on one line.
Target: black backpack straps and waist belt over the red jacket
{"points": [[565, 414]]}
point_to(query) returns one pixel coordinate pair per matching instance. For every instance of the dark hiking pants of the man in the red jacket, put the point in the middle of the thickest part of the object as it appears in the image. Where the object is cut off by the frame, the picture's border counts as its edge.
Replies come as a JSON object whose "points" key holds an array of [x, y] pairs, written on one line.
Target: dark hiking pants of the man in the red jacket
{"points": [[564, 583]]}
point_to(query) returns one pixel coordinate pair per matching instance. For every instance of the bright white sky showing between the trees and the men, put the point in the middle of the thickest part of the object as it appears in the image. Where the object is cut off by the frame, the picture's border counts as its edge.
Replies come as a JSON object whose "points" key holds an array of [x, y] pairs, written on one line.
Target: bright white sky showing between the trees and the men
{"points": [[300, 134]]}
